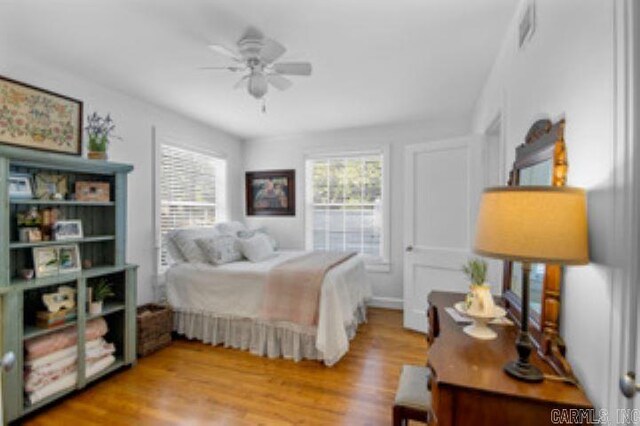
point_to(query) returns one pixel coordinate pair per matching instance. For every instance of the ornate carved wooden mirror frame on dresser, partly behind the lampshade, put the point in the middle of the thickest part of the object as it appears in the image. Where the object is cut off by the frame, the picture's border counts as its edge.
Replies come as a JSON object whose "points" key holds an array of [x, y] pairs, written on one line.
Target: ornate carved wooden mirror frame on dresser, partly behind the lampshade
{"points": [[544, 142]]}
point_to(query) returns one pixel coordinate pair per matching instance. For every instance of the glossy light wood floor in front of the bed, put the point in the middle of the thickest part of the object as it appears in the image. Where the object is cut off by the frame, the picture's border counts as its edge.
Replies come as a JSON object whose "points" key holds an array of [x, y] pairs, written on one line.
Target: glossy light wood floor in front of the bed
{"points": [[192, 383]]}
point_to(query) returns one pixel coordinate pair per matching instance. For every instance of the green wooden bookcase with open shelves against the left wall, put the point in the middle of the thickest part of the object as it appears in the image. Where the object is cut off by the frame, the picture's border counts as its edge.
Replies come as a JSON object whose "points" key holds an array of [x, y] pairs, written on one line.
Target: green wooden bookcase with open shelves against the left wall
{"points": [[104, 243]]}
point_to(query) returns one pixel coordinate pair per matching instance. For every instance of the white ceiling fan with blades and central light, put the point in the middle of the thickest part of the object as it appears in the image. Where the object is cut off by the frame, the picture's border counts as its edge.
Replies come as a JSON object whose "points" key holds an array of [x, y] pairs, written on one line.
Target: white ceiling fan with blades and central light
{"points": [[256, 55]]}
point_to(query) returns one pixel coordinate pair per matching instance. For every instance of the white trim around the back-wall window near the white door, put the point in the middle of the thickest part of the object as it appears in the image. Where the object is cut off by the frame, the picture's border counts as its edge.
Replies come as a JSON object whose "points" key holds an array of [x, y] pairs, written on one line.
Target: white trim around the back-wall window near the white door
{"points": [[372, 264]]}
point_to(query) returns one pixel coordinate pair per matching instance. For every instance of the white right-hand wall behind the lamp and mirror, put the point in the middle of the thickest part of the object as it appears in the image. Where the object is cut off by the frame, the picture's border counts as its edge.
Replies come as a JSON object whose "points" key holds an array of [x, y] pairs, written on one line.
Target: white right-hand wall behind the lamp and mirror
{"points": [[568, 71]]}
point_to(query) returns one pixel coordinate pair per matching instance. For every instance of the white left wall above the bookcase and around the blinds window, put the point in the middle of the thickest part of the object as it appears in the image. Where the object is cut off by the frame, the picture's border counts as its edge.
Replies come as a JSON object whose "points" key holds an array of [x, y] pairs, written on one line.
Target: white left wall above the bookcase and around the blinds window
{"points": [[134, 120]]}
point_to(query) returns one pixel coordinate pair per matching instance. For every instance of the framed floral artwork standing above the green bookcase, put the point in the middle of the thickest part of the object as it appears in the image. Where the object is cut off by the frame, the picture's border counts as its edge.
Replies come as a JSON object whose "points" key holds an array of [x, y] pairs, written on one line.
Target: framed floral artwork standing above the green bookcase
{"points": [[39, 119]]}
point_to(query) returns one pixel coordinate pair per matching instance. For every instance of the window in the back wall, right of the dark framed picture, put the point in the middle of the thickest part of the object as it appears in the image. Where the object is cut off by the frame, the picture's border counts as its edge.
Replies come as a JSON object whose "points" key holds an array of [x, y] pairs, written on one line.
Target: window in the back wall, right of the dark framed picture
{"points": [[345, 204]]}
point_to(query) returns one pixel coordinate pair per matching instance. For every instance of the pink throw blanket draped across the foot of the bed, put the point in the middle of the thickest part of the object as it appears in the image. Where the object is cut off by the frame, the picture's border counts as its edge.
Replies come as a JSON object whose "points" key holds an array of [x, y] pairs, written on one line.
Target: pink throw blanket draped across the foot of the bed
{"points": [[293, 287]]}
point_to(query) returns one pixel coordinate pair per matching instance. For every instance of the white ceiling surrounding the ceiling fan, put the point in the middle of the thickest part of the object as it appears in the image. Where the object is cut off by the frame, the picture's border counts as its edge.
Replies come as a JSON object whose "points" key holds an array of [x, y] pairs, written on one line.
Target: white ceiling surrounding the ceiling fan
{"points": [[375, 61]]}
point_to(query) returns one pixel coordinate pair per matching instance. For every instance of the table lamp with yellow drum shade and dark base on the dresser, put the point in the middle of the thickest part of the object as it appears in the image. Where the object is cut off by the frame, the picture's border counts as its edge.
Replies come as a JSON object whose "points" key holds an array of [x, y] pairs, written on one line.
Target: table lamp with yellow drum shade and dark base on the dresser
{"points": [[532, 224]]}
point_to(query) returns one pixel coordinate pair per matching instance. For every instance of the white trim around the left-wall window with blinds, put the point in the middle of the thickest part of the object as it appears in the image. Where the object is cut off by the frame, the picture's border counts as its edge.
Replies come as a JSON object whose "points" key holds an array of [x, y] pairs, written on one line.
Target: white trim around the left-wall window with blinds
{"points": [[222, 204]]}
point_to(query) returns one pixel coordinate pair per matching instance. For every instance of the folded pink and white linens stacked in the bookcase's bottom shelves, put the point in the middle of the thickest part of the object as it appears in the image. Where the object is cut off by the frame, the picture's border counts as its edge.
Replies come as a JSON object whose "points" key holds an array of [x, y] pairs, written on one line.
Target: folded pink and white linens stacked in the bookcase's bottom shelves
{"points": [[51, 360]]}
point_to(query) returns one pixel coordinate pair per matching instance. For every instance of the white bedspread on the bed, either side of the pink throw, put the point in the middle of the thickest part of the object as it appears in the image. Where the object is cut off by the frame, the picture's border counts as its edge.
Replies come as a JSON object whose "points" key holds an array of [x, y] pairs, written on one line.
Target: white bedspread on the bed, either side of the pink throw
{"points": [[236, 290]]}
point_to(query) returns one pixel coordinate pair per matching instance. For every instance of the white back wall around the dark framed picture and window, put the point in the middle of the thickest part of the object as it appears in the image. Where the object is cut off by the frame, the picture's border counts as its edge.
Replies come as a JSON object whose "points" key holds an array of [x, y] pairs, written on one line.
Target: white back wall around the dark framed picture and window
{"points": [[288, 153]]}
